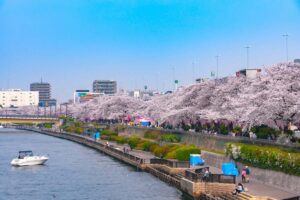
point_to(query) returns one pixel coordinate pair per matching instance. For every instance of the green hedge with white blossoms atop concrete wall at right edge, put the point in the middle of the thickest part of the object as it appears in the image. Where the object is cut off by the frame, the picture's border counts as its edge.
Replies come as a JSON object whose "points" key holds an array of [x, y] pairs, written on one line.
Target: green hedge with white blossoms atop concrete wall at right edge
{"points": [[265, 157]]}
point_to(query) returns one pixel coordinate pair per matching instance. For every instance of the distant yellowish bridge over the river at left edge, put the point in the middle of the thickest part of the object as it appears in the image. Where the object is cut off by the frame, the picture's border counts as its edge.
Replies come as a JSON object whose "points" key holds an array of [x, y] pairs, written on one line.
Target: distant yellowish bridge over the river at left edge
{"points": [[25, 119]]}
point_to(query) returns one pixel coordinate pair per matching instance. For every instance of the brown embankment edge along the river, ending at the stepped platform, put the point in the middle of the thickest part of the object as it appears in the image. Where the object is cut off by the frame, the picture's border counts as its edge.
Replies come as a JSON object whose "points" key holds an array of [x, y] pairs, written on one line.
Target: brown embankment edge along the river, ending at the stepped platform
{"points": [[172, 176]]}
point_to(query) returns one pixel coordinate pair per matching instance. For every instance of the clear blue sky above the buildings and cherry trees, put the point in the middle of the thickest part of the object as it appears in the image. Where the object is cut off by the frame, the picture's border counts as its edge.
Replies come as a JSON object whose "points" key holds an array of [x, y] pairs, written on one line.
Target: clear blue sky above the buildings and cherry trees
{"points": [[137, 43]]}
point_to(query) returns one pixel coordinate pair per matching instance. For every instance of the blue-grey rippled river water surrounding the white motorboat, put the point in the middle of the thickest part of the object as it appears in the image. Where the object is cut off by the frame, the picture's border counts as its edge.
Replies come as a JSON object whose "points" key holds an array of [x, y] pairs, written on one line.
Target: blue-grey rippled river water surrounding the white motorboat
{"points": [[72, 172]]}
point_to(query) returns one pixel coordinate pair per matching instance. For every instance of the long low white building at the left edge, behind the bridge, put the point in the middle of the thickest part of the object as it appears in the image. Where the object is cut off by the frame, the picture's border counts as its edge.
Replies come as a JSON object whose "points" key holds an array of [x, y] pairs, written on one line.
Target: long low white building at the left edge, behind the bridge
{"points": [[18, 98]]}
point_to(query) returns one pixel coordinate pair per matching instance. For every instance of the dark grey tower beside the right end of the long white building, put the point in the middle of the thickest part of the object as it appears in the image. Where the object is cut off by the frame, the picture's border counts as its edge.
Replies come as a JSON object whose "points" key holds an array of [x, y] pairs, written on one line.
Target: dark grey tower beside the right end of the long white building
{"points": [[44, 90]]}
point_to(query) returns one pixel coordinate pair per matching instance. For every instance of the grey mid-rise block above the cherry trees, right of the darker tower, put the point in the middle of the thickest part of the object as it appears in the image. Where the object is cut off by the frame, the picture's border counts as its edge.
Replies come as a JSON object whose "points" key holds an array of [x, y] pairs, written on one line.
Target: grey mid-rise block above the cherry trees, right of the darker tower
{"points": [[105, 87]]}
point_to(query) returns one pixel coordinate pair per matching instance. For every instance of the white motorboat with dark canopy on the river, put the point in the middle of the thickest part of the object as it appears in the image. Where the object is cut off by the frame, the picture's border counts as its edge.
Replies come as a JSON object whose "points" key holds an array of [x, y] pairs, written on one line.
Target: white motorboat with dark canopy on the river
{"points": [[27, 158]]}
